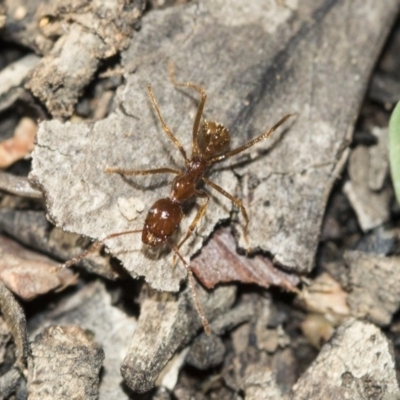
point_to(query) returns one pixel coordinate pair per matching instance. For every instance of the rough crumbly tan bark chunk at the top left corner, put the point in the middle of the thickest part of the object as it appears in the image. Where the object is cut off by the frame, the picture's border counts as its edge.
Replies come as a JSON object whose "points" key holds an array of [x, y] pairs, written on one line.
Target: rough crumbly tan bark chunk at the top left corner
{"points": [[89, 32]]}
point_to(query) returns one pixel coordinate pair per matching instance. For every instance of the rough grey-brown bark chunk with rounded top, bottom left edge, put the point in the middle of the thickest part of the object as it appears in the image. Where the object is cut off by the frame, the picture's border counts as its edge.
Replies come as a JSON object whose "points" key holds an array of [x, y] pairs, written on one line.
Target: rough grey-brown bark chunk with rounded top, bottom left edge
{"points": [[65, 363]]}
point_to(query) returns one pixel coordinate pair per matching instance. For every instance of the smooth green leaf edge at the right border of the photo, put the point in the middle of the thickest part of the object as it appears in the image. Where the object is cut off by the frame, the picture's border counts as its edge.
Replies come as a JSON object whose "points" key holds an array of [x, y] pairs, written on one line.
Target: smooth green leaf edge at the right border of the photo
{"points": [[394, 149]]}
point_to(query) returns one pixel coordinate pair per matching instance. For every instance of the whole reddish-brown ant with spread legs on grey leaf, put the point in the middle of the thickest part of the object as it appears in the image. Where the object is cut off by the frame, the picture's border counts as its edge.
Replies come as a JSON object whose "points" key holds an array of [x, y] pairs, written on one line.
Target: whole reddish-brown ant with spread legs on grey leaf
{"points": [[210, 144]]}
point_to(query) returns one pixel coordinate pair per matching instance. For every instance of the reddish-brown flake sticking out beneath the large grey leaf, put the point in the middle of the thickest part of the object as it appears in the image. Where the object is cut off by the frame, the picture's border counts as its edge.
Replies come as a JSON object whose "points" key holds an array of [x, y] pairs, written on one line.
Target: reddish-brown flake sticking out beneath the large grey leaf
{"points": [[219, 262]]}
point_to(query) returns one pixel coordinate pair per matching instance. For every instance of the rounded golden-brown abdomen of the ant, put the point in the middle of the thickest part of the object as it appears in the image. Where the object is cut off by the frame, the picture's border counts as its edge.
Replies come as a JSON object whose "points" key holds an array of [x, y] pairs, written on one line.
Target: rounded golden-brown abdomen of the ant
{"points": [[213, 139]]}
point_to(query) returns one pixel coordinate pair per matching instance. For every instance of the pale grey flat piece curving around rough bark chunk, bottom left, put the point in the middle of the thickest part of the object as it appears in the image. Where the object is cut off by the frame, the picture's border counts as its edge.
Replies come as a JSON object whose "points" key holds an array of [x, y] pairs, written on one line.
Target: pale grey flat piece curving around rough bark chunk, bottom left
{"points": [[92, 309]]}
